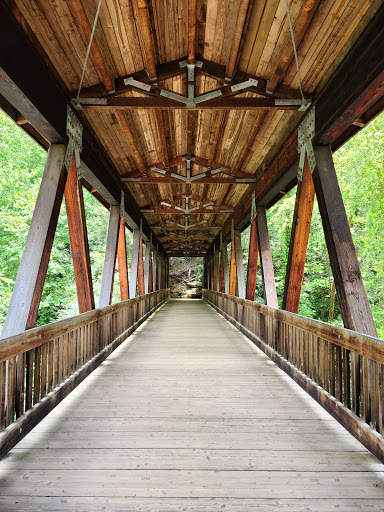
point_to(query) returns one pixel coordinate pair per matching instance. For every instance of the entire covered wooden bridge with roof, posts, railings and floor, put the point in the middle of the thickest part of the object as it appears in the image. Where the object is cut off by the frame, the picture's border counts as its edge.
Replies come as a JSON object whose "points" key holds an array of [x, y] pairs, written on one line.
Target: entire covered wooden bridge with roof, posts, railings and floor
{"points": [[188, 119]]}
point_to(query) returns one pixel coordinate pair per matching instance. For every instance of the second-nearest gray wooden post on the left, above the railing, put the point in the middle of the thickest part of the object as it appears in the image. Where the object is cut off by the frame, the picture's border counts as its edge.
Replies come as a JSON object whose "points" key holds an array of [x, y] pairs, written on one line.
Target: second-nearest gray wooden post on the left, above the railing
{"points": [[110, 258]]}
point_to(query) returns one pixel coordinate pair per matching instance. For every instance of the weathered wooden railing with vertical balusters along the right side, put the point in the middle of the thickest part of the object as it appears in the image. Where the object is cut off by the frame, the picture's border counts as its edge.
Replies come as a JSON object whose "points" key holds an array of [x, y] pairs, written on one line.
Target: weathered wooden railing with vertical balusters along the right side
{"points": [[341, 369]]}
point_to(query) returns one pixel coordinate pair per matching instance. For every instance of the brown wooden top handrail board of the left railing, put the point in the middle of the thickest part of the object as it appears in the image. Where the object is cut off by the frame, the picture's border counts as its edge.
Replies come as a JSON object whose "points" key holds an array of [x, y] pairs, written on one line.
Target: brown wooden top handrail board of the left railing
{"points": [[32, 338]]}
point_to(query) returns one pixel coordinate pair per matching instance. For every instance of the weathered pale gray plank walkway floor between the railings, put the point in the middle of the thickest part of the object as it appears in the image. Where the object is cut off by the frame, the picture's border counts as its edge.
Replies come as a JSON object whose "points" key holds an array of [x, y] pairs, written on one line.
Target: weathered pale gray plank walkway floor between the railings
{"points": [[187, 415]]}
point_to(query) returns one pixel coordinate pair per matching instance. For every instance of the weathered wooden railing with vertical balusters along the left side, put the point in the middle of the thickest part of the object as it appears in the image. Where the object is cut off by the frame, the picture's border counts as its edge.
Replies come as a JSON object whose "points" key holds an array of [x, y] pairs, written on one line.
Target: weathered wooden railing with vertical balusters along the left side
{"points": [[40, 367]]}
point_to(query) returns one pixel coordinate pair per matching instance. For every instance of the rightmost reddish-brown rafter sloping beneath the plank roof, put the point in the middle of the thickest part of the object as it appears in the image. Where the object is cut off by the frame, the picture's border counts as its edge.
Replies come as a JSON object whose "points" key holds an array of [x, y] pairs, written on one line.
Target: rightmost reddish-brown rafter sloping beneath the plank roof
{"points": [[302, 22]]}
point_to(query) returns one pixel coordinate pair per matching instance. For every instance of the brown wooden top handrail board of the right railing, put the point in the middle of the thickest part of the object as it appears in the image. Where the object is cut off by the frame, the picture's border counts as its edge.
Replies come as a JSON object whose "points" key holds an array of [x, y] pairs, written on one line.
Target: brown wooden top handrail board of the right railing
{"points": [[362, 344]]}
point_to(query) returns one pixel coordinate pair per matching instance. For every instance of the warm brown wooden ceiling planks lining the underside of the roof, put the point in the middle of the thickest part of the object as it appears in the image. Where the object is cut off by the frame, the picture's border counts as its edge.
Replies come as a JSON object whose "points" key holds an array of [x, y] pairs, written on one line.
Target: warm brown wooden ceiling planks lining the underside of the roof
{"points": [[250, 36]]}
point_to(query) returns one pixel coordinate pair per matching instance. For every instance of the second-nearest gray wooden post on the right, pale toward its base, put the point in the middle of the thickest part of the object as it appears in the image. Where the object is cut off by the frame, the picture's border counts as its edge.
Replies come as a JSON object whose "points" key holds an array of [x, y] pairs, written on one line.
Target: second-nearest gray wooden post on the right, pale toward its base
{"points": [[266, 258]]}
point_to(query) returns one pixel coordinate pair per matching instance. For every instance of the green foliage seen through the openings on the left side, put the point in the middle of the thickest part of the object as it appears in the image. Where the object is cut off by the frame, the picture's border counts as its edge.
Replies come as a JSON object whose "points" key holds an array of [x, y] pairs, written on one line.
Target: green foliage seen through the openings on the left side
{"points": [[21, 168]]}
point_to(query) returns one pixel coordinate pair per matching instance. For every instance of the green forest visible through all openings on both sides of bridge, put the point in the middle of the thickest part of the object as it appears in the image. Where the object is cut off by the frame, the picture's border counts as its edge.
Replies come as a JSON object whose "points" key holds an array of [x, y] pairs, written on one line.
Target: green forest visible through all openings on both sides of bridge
{"points": [[360, 169]]}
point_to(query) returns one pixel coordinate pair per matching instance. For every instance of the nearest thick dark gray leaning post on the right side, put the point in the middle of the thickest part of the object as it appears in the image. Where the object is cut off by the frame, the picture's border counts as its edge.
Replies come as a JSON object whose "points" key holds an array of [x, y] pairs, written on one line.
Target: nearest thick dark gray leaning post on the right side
{"points": [[354, 304]]}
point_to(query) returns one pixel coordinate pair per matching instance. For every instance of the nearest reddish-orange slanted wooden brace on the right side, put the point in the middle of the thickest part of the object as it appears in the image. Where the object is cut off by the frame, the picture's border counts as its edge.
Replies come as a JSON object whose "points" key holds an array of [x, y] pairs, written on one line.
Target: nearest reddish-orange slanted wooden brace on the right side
{"points": [[301, 226]]}
